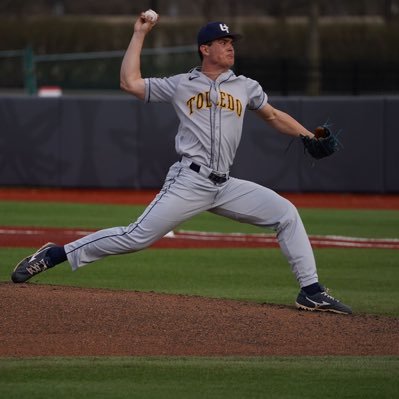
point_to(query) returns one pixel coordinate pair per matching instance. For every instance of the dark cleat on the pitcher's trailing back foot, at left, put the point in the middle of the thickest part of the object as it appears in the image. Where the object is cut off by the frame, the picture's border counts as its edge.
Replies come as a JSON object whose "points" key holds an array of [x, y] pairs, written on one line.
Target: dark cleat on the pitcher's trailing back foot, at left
{"points": [[32, 265]]}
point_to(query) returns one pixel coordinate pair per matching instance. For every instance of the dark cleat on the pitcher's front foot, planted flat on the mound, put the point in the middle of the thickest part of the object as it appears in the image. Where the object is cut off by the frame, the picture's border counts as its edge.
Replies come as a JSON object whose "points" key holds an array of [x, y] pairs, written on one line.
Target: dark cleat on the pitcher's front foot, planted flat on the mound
{"points": [[322, 302]]}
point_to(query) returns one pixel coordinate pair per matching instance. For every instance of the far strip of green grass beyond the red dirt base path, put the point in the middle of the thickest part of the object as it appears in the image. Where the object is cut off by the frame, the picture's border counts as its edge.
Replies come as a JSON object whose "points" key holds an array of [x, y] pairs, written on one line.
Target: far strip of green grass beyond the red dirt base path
{"points": [[360, 223]]}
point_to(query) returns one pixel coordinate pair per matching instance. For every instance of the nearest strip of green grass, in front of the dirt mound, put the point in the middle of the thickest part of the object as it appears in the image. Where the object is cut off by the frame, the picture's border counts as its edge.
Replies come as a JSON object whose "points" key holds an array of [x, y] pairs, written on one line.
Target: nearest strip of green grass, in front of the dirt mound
{"points": [[285, 377]]}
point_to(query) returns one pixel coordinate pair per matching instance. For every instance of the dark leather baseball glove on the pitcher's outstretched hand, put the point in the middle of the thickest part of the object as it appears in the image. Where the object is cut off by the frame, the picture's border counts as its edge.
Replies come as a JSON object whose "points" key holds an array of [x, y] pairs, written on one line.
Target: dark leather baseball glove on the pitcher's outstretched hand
{"points": [[322, 145]]}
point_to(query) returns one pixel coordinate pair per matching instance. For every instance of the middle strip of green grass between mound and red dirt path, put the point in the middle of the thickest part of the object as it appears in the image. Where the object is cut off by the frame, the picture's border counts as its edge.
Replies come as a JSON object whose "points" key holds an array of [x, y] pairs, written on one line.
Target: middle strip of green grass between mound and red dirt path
{"points": [[365, 279]]}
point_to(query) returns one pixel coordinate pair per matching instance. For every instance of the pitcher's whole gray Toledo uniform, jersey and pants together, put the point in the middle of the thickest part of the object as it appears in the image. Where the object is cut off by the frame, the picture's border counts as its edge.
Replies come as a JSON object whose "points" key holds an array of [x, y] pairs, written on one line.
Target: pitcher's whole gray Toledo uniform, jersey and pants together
{"points": [[211, 117]]}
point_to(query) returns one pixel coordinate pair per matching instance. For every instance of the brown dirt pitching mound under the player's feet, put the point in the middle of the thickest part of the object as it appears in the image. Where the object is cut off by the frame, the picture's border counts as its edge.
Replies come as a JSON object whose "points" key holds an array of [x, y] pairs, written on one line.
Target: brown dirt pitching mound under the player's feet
{"points": [[42, 320]]}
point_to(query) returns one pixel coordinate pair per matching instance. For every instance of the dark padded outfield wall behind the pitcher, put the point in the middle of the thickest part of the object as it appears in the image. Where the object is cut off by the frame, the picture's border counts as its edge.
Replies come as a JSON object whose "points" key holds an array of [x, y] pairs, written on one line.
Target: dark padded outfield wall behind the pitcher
{"points": [[120, 142]]}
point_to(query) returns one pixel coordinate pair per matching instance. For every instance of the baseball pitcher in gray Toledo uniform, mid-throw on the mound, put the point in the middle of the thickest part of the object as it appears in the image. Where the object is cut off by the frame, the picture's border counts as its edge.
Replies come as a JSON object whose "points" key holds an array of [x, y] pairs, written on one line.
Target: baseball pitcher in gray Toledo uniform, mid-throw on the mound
{"points": [[210, 102]]}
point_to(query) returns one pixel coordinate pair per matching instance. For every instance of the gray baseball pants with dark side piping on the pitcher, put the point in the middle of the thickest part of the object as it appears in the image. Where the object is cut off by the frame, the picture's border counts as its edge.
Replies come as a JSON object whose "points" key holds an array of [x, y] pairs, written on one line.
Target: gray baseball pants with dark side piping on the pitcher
{"points": [[187, 193]]}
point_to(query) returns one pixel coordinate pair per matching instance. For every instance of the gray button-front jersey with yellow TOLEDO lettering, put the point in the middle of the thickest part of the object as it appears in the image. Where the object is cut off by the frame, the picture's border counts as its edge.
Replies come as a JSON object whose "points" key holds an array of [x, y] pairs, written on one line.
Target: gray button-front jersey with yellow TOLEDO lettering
{"points": [[211, 113]]}
